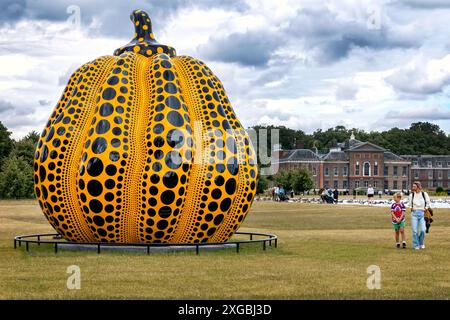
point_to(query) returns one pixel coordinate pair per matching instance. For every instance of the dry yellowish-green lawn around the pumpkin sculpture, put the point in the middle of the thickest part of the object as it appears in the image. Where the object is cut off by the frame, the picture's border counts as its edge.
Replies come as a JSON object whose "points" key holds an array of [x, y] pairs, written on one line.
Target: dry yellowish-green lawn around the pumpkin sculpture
{"points": [[323, 253]]}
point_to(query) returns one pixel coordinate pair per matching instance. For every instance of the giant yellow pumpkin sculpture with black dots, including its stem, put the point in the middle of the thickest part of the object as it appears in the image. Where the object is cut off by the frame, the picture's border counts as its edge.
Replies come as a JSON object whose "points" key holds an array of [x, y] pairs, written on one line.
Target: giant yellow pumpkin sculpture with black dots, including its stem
{"points": [[144, 146]]}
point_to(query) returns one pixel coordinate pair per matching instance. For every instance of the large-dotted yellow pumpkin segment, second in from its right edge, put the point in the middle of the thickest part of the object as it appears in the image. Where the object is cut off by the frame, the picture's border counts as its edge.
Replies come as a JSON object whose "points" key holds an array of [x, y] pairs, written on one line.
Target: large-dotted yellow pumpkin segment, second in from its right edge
{"points": [[215, 201]]}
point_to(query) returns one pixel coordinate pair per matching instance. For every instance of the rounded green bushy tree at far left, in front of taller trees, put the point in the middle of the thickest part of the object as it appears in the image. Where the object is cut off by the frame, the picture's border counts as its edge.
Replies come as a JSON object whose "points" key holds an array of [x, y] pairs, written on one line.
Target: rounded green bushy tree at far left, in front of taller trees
{"points": [[16, 178]]}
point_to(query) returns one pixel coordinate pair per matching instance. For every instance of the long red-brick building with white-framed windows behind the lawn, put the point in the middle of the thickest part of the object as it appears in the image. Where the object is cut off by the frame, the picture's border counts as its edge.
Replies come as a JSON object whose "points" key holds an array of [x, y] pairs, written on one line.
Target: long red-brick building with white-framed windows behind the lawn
{"points": [[355, 164]]}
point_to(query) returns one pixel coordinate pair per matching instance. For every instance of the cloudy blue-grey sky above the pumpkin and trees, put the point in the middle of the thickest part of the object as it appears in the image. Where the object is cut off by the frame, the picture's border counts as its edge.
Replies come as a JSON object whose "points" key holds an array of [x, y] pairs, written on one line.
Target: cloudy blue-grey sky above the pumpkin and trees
{"points": [[301, 63]]}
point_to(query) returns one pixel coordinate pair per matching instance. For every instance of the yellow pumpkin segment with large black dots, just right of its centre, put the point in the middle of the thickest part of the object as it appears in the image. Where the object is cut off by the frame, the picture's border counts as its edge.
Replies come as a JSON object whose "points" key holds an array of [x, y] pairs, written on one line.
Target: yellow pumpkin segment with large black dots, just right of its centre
{"points": [[163, 189]]}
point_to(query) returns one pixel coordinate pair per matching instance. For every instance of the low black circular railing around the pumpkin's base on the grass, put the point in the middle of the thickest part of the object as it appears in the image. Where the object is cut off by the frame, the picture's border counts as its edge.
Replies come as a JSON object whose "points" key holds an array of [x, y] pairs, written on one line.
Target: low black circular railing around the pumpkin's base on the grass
{"points": [[57, 241]]}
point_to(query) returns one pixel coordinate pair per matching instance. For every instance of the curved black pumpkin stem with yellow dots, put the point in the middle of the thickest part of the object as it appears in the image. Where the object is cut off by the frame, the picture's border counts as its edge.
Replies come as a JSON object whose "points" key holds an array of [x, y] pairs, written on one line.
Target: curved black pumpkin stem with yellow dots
{"points": [[144, 41]]}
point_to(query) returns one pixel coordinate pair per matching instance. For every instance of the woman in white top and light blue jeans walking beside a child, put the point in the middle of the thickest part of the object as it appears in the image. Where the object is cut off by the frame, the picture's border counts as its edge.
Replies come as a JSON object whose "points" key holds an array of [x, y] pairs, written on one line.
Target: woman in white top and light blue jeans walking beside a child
{"points": [[419, 201]]}
